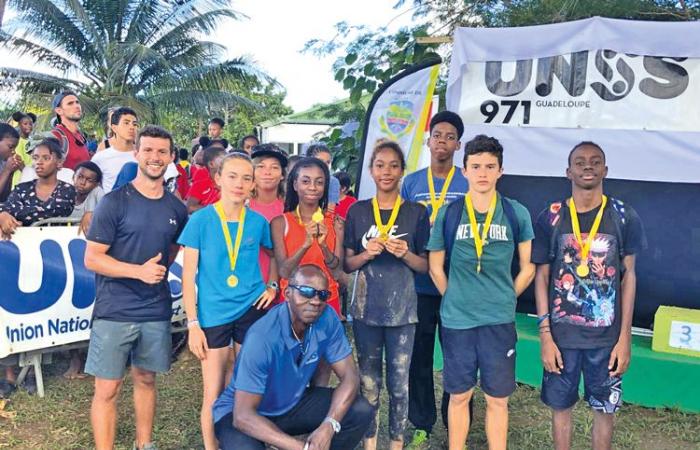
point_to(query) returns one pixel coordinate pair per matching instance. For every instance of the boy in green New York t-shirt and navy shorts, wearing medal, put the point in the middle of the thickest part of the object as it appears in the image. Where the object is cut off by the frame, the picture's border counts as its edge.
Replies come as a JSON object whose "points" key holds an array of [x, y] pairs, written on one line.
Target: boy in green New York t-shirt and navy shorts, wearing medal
{"points": [[477, 236]]}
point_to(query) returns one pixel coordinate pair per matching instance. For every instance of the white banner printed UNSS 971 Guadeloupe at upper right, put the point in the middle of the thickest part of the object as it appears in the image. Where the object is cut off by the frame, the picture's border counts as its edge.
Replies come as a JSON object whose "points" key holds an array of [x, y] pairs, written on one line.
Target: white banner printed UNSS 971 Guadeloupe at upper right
{"points": [[540, 90]]}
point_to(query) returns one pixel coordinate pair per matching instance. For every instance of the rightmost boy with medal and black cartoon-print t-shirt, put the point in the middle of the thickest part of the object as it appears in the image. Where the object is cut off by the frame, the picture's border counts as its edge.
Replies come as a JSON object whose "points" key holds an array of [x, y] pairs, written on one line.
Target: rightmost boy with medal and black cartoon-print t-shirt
{"points": [[585, 251]]}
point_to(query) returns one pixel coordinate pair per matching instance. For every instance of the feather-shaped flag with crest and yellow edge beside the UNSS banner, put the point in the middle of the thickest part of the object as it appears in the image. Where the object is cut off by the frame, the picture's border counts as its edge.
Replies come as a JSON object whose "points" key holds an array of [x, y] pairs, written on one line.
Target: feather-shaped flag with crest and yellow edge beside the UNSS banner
{"points": [[400, 111]]}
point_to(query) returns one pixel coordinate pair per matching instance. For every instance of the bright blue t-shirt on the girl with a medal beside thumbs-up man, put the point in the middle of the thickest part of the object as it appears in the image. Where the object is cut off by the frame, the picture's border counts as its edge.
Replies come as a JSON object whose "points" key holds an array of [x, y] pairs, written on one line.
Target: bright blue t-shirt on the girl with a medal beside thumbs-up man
{"points": [[217, 303]]}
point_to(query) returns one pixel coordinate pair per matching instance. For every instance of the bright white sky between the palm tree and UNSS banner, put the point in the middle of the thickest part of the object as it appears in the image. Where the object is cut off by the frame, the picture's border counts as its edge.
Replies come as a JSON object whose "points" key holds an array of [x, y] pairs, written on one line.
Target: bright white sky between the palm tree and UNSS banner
{"points": [[276, 31]]}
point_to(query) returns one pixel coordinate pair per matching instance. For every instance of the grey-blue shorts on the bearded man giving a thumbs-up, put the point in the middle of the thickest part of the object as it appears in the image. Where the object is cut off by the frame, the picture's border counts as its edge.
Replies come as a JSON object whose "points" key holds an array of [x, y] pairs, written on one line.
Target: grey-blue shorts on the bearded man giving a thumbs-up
{"points": [[113, 344]]}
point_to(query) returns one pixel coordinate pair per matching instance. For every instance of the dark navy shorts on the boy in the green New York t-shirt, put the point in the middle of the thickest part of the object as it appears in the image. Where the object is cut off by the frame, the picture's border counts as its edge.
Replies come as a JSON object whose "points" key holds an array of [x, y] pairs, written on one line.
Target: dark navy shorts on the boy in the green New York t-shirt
{"points": [[488, 350]]}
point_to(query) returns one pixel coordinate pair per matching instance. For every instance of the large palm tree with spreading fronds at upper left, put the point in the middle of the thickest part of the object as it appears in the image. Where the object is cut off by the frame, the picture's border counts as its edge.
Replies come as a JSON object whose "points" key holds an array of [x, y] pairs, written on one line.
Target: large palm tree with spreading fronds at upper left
{"points": [[145, 54]]}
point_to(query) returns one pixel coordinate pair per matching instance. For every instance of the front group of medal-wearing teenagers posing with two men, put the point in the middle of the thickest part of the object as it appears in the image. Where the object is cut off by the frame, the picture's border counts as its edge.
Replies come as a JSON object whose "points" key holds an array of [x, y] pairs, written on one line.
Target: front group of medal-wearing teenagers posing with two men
{"points": [[431, 253]]}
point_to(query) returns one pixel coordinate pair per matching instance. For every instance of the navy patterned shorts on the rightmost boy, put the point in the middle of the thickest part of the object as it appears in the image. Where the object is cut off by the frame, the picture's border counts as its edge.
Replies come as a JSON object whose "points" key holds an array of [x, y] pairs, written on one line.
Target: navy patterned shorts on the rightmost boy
{"points": [[602, 392]]}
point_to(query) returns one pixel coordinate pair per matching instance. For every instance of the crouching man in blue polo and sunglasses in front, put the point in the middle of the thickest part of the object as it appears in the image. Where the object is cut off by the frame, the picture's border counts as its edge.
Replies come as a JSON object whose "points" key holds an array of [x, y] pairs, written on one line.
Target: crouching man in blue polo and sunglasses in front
{"points": [[269, 400]]}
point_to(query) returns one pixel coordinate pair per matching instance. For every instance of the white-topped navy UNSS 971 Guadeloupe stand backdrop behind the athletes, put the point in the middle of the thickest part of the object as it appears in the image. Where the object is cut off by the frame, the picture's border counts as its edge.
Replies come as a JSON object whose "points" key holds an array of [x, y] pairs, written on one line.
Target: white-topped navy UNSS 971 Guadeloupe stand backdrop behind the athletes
{"points": [[631, 87]]}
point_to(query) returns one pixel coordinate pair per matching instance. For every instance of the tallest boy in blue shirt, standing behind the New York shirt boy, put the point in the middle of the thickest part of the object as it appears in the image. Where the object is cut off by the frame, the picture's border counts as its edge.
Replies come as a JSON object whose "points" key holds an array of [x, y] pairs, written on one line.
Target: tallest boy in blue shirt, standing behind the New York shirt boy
{"points": [[438, 184]]}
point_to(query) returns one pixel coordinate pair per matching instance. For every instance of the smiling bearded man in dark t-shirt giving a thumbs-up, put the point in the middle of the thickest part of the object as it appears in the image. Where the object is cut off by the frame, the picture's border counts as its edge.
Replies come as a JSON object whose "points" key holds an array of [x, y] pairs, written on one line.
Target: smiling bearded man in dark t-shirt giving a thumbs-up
{"points": [[132, 241]]}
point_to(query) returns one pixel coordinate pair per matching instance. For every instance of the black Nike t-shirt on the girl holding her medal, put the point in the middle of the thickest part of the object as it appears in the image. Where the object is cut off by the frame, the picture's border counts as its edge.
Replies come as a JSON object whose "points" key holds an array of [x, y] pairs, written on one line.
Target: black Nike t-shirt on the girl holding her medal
{"points": [[385, 293]]}
